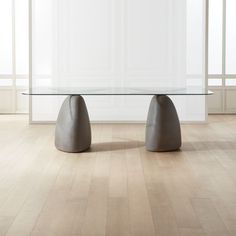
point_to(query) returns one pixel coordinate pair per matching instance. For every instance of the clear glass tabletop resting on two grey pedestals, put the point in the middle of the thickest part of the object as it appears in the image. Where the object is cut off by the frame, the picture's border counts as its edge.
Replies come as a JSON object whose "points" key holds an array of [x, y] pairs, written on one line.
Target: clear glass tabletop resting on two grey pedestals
{"points": [[118, 91]]}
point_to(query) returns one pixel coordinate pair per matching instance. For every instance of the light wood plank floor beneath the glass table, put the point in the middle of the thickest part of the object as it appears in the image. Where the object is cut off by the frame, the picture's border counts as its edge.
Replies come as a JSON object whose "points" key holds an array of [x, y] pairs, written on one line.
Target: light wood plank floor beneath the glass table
{"points": [[118, 188]]}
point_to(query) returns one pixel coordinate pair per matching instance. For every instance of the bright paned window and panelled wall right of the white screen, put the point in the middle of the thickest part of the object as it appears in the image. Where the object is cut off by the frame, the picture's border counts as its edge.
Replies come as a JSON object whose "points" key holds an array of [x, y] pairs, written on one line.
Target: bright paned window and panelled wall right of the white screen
{"points": [[222, 55]]}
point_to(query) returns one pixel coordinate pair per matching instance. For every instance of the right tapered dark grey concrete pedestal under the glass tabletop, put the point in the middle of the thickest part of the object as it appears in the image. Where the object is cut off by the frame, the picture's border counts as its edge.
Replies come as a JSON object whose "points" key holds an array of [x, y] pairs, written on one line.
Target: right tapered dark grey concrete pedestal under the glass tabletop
{"points": [[163, 128]]}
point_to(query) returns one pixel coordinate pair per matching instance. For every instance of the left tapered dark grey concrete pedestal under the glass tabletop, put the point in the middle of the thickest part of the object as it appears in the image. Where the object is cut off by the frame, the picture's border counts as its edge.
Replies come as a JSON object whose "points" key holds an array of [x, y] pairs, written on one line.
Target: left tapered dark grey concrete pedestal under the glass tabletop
{"points": [[73, 131]]}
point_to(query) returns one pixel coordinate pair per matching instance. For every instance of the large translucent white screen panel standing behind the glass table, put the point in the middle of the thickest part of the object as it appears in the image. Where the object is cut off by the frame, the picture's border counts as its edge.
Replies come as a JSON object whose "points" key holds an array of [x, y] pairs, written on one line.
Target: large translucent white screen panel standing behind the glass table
{"points": [[116, 43]]}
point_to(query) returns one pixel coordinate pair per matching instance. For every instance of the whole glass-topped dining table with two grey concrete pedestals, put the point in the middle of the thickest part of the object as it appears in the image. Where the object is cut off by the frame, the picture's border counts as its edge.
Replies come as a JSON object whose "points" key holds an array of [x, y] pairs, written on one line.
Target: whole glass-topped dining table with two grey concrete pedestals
{"points": [[73, 130]]}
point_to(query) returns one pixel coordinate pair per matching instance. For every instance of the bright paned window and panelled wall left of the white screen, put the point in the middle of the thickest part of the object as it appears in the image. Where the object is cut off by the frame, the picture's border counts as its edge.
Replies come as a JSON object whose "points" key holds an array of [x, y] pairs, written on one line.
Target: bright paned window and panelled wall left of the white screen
{"points": [[14, 52]]}
